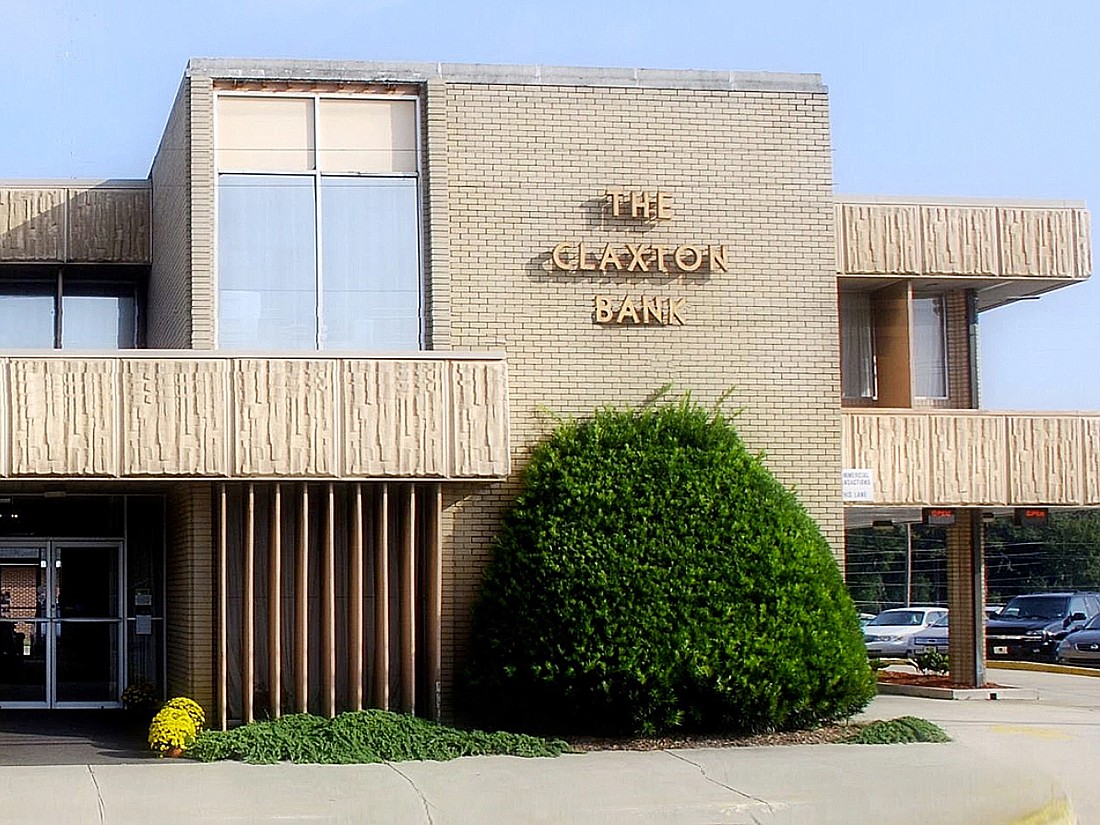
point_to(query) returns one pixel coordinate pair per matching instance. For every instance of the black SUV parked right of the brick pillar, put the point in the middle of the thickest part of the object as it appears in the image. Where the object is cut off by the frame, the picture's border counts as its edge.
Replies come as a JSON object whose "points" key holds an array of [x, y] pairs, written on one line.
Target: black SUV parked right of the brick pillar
{"points": [[1031, 626]]}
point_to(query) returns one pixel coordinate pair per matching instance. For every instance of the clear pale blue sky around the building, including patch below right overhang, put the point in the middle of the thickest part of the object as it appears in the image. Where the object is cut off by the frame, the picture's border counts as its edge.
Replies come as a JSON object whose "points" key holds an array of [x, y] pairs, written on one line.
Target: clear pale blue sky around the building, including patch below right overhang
{"points": [[974, 98]]}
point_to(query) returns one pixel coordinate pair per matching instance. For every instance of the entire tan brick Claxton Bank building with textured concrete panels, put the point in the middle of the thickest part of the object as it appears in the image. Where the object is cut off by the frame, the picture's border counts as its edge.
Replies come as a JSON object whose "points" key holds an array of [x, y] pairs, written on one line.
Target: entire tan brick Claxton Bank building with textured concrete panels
{"points": [[261, 412]]}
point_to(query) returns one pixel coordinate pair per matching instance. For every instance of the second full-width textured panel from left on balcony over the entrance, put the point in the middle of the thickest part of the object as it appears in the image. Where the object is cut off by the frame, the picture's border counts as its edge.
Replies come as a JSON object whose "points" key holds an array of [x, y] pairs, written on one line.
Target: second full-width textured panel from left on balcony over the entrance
{"points": [[174, 417]]}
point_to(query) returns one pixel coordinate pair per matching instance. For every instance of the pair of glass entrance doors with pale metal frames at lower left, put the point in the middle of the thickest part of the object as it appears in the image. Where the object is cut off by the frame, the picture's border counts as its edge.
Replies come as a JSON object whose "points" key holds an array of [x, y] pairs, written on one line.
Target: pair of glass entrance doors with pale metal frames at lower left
{"points": [[61, 624]]}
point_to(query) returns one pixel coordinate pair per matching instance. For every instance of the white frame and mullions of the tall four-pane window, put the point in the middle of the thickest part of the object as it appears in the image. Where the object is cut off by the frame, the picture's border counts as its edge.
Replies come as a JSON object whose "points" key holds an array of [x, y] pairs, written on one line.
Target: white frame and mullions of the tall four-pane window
{"points": [[317, 175]]}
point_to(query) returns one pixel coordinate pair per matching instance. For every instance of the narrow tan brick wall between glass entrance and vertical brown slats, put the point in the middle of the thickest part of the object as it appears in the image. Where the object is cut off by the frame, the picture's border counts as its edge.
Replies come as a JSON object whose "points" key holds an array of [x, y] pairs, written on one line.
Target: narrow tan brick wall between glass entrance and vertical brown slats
{"points": [[190, 606]]}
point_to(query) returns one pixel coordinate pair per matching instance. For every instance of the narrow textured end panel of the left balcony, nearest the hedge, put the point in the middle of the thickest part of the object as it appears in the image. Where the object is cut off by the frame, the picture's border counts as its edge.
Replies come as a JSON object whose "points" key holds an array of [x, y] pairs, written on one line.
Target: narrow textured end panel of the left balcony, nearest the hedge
{"points": [[480, 406]]}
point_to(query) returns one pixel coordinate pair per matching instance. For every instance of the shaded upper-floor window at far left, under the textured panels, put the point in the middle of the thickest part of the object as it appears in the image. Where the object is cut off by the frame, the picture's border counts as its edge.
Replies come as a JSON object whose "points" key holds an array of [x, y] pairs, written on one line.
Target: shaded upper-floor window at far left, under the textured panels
{"points": [[68, 312]]}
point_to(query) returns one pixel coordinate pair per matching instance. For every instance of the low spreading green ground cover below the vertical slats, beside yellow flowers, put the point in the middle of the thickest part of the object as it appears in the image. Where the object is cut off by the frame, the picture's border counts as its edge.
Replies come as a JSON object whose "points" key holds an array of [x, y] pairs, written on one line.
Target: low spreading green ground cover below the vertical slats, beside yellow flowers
{"points": [[361, 736]]}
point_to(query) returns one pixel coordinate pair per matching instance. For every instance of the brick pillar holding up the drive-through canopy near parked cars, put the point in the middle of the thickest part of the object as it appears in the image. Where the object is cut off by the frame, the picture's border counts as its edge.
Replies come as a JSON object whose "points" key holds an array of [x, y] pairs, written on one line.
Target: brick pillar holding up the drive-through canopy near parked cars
{"points": [[966, 599]]}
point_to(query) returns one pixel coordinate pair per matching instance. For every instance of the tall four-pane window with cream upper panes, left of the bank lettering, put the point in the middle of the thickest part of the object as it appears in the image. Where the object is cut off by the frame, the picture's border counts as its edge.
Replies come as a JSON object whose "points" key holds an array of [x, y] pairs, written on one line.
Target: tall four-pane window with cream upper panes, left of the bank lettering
{"points": [[318, 224]]}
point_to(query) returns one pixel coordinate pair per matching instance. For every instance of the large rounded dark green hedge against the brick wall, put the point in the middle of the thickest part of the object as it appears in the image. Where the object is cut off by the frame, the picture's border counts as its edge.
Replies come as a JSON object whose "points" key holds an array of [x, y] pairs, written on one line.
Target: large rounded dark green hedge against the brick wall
{"points": [[653, 575]]}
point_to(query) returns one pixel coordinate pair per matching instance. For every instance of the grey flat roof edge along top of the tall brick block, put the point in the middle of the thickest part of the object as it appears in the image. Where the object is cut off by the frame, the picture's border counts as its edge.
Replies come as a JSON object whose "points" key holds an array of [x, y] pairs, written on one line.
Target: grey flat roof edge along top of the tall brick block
{"points": [[493, 74]]}
